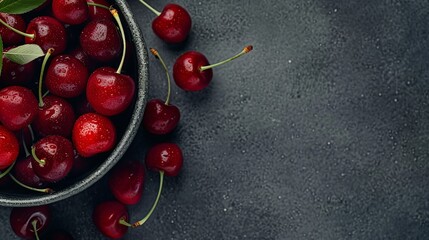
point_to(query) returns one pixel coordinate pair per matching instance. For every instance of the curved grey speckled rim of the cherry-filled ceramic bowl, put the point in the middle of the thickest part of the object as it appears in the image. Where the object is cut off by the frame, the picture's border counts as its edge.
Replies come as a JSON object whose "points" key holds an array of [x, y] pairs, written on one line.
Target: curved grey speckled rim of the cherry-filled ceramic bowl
{"points": [[133, 119]]}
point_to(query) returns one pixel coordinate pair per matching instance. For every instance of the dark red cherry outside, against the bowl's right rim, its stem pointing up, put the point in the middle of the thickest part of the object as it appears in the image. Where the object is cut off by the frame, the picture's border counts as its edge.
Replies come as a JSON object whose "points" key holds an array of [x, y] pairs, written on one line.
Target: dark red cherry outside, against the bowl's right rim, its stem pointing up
{"points": [[159, 118]]}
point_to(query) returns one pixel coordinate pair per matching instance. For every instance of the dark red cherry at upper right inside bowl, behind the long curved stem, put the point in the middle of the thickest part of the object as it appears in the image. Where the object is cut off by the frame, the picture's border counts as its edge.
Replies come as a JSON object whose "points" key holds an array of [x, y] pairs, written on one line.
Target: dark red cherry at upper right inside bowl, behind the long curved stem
{"points": [[100, 40]]}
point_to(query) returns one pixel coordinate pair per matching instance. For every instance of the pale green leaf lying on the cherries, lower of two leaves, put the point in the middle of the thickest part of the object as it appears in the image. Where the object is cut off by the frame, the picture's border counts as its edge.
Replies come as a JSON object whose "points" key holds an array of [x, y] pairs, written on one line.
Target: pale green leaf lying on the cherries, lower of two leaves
{"points": [[24, 54]]}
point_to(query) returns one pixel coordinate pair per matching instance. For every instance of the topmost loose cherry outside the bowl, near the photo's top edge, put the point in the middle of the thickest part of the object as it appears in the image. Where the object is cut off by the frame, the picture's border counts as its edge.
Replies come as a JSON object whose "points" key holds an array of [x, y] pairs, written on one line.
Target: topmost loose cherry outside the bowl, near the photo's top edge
{"points": [[173, 24]]}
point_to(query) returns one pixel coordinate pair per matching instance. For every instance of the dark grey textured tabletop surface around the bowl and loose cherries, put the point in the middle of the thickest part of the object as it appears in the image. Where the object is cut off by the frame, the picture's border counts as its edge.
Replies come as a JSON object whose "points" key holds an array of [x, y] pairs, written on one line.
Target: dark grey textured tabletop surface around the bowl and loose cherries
{"points": [[320, 133]]}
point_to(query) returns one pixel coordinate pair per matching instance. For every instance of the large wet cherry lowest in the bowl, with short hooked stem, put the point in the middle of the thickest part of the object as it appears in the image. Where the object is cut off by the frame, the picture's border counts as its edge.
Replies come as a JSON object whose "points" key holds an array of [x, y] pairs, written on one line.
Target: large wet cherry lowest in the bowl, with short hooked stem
{"points": [[57, 152]]}
